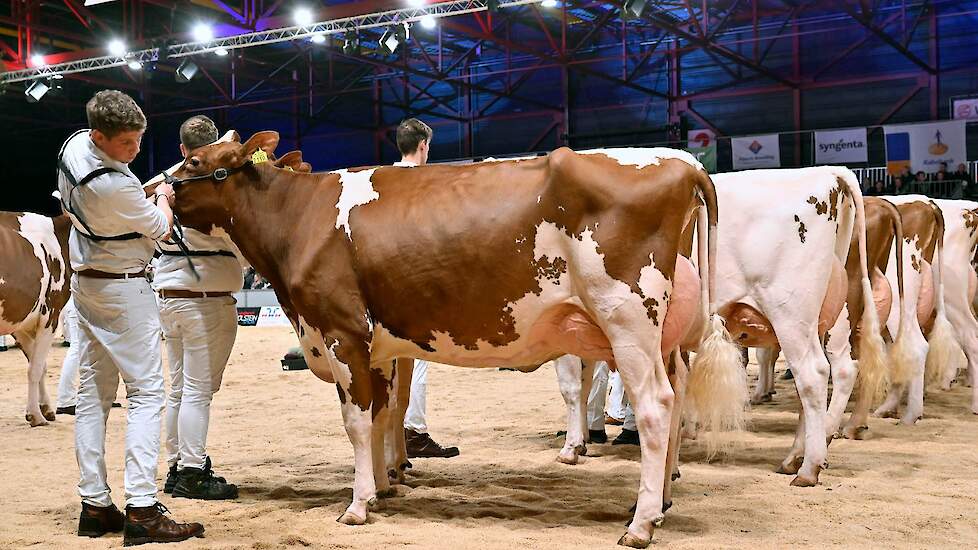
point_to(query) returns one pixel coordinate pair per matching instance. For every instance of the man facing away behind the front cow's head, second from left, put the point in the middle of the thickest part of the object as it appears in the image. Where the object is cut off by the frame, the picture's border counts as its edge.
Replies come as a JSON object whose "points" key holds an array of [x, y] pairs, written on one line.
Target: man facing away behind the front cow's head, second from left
{"points": [[200, 322]]}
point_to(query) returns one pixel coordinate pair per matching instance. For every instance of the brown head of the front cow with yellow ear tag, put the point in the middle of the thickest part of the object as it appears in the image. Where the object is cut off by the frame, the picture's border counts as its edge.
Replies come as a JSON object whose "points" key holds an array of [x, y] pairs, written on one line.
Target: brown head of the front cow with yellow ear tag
{"points": [[204, 181]]}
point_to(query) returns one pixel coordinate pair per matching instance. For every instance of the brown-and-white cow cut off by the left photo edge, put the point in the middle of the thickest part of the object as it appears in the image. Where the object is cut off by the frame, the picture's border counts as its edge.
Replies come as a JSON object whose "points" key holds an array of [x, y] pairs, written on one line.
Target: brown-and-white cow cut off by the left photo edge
{"points": [[34, 273]]}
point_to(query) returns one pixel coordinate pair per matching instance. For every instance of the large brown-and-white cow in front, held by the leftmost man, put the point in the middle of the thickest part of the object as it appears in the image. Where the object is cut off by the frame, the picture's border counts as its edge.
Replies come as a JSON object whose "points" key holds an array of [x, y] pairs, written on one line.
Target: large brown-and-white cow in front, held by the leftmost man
{"points": [[487, 265]]}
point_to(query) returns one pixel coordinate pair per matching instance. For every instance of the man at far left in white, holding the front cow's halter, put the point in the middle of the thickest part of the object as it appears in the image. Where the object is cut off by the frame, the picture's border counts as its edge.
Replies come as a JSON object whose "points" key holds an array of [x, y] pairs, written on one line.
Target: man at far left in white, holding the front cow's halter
{"points": [[114, 227]]}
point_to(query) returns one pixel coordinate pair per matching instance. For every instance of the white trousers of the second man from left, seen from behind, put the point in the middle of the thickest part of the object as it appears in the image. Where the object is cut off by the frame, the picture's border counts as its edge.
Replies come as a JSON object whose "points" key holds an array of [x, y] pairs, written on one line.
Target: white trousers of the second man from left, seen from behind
{"points": [[199, 335]]}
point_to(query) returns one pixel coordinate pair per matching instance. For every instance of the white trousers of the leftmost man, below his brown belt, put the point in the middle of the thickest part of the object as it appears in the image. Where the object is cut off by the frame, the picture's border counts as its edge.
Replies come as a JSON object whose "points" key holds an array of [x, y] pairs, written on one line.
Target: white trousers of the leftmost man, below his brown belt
{"points": [[118, 334]]}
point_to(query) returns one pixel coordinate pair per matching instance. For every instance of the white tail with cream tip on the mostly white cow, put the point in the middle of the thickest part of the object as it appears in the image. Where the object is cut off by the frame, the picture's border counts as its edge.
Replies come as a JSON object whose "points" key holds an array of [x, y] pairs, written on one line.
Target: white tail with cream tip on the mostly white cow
{"points": [[872, 358]]}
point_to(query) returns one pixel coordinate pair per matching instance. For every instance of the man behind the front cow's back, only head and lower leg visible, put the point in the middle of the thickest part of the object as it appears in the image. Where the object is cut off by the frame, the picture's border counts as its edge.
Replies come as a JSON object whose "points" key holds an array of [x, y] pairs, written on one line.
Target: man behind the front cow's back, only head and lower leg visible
{"points": [[414, 142]]}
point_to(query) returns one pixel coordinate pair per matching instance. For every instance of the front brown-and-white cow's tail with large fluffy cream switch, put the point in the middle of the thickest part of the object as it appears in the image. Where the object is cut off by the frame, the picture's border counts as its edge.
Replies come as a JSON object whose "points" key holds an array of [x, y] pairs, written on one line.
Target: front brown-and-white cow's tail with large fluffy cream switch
{"points": [[716, 390]]}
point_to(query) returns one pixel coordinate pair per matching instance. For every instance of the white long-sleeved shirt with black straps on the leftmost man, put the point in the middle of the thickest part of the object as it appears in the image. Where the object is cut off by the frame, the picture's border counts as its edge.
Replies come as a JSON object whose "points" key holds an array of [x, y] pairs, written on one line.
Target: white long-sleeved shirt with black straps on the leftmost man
{"points": [[111, 204]]}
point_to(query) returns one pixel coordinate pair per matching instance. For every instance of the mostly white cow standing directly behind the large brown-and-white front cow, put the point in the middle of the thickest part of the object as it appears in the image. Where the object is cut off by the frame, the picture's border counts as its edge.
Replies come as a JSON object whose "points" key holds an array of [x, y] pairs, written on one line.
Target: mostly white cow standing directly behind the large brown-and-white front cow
{"points": [[784, 238]]}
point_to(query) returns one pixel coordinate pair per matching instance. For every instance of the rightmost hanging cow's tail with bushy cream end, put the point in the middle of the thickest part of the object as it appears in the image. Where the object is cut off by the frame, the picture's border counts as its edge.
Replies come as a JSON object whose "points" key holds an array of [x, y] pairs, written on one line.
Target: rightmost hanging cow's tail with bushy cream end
{"points": [[944, 353]]}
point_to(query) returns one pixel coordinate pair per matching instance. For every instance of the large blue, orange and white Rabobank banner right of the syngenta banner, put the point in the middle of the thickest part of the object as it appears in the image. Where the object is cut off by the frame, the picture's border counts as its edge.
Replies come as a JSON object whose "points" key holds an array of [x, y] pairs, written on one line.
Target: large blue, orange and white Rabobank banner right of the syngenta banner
{"points": [[923, 147]]}
